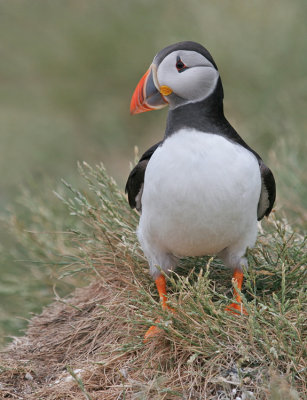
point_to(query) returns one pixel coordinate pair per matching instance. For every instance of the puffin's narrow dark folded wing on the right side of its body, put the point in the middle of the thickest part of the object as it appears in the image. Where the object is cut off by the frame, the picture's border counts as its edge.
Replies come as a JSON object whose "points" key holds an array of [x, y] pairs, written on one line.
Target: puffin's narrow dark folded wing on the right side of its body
{"points": [[268, 191]]}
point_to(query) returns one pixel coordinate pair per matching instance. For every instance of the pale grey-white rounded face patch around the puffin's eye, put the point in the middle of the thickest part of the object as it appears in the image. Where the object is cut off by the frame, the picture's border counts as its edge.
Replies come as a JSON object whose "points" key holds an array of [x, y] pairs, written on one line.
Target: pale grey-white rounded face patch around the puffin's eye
{"points": [[194, 83]]}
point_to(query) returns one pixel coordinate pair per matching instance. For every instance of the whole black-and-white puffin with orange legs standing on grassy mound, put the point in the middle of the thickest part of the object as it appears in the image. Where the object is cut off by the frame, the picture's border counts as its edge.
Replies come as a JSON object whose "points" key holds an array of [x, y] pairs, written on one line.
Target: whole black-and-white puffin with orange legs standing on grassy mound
{"points": [[201, 190]]}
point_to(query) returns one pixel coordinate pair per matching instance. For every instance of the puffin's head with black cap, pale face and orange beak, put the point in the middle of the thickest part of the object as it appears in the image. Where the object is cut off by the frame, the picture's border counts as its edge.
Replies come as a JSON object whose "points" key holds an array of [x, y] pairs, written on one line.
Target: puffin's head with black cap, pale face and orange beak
{"points": [[180, 74]]}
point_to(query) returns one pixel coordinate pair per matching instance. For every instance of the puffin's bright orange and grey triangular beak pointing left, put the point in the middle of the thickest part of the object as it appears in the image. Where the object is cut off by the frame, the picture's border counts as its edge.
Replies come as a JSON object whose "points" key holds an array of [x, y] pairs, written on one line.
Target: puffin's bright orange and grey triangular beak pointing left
{"points": [[146, 96]]}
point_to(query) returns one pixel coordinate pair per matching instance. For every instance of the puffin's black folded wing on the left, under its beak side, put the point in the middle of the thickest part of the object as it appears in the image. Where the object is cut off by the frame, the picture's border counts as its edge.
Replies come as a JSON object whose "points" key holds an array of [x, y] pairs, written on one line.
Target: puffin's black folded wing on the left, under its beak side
{"points": [[135, 182]]}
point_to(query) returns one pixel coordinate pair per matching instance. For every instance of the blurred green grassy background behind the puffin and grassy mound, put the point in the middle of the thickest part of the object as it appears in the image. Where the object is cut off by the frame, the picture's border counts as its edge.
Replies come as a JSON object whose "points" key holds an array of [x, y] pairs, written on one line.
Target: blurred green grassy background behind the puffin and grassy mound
{"points": [[67, 72]]}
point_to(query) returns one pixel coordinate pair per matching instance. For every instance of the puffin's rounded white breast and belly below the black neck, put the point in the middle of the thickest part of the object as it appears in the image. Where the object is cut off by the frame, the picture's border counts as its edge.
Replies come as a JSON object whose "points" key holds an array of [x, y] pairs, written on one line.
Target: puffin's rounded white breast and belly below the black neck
{"points": [[200, 195]]}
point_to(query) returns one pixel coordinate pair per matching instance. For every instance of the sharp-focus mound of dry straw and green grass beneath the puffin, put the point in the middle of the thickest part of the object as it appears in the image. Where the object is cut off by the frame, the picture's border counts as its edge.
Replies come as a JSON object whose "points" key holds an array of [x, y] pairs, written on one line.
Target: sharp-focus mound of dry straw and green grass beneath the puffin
{"points": [[90, 345]]}
